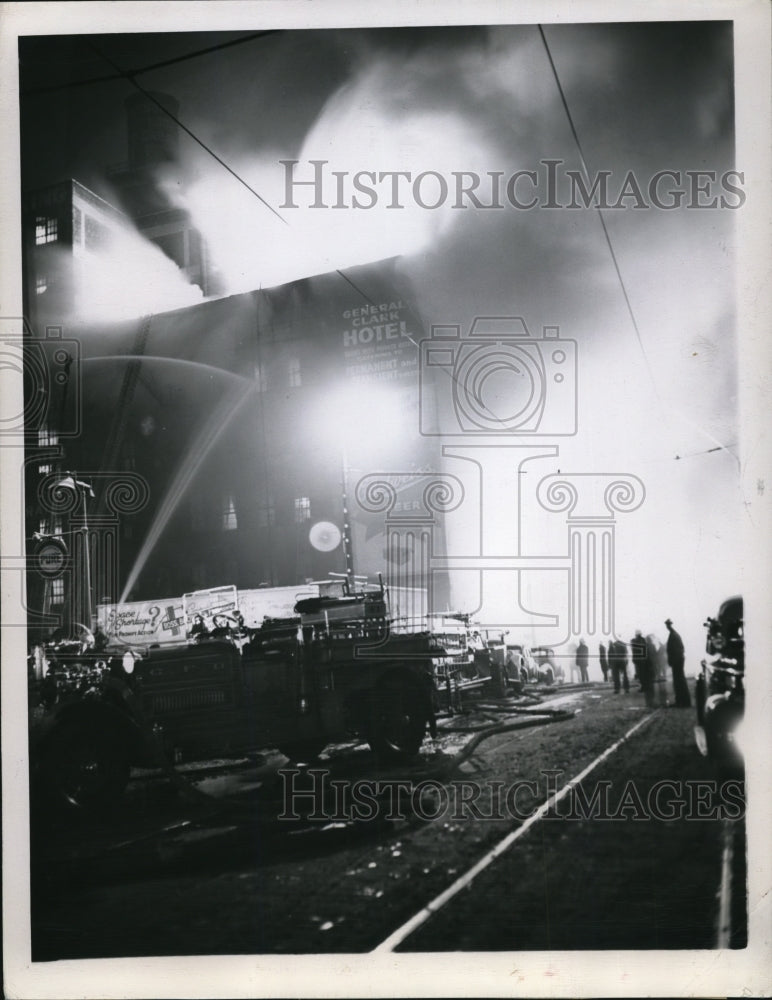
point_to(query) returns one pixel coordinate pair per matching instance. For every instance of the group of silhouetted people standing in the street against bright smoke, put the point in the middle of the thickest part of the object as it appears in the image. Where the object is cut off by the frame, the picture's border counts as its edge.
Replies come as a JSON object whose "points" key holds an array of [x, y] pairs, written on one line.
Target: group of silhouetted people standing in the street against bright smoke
{"points": [[647, 665]]}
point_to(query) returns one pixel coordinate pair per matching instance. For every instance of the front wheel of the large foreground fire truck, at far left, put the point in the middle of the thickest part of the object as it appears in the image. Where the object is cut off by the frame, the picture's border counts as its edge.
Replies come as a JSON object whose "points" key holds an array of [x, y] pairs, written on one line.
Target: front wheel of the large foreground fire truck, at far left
{"points": [[86, 766]]}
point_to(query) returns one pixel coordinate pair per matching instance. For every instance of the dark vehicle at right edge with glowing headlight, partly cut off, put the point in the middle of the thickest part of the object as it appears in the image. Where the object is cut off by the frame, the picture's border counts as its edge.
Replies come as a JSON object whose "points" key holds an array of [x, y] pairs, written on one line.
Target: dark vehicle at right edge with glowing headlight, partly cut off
{"points": [[720, 688]]}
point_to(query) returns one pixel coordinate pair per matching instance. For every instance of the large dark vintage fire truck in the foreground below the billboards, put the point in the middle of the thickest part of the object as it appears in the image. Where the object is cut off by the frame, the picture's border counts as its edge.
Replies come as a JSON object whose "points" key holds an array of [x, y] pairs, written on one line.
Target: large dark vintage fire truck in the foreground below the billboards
{"points": [[335, 670]]}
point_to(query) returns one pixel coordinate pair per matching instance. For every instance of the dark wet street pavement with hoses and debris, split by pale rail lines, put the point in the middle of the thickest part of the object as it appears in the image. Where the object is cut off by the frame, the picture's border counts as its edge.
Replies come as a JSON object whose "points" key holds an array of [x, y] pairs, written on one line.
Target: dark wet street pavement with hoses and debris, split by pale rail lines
{"points": [[257, 856]]}
